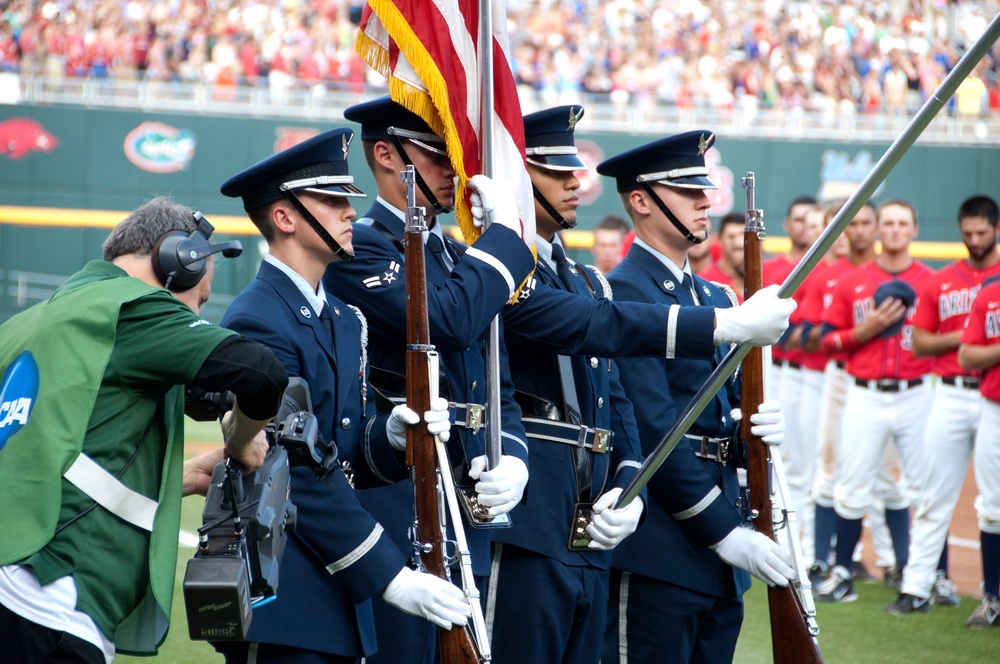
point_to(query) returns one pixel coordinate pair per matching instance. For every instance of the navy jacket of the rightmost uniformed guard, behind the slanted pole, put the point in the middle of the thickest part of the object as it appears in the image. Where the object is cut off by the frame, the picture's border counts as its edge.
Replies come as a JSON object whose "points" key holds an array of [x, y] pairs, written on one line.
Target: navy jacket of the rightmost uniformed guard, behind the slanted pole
{"points": [[691, 500]]}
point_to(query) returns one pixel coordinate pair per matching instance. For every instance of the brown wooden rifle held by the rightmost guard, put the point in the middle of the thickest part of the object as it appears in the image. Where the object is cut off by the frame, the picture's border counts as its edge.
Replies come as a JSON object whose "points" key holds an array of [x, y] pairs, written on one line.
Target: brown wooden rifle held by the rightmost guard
{"points": [[792, 641]]}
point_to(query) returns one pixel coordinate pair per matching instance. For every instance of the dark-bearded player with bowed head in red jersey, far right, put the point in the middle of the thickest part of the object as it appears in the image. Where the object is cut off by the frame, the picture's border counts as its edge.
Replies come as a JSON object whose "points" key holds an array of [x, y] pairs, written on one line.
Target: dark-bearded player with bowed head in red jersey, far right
{"points": [[956, 407]]}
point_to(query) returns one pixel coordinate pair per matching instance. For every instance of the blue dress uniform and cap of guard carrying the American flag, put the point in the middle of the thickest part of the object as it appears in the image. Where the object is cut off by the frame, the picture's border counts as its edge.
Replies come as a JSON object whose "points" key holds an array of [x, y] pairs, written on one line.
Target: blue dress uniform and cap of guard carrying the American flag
{"points": [[461, 304]]}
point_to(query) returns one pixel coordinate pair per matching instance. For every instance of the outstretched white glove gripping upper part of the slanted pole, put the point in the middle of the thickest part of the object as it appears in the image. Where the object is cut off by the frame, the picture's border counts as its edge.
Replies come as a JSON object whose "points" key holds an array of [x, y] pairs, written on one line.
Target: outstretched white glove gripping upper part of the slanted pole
{"points": [[761, 320]]}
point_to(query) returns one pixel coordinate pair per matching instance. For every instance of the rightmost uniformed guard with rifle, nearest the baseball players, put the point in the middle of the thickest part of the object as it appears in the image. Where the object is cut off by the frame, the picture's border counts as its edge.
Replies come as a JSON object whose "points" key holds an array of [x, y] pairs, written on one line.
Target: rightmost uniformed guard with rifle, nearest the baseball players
{"points": [[677, 583]]}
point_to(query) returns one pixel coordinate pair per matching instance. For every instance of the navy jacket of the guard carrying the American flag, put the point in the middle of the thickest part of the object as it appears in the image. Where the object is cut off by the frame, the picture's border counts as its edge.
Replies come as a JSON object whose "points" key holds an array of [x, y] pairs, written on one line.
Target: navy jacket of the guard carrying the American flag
{"points": [[460, 307]]}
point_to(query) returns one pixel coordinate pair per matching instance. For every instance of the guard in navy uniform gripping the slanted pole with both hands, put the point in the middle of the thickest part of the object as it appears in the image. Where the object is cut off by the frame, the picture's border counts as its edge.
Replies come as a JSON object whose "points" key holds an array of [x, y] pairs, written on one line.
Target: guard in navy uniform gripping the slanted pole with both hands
{"points": [[560, 335]]}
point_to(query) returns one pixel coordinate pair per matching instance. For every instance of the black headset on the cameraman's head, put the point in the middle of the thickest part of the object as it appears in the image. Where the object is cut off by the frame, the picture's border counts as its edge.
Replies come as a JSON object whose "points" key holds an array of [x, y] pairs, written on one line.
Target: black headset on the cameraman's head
{"points": [[179, 257]]}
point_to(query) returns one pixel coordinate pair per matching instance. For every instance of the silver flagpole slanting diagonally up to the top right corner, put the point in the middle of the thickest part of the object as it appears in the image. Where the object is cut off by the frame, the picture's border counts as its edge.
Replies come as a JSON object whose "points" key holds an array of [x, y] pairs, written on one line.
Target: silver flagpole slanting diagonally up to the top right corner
{"points": [[888, 161]]}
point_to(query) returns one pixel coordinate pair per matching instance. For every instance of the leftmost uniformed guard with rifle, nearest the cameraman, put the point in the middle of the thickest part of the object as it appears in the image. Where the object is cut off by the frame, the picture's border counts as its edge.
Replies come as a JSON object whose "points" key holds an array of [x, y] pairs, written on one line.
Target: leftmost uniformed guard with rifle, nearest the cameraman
{"points": [[338, 556]]}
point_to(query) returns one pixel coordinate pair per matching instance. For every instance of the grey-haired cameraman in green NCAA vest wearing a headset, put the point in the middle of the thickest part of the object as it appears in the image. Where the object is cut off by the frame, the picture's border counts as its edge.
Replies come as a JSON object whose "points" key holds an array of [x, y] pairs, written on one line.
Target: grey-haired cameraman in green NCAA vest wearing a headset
{"points": [[91, 438]]}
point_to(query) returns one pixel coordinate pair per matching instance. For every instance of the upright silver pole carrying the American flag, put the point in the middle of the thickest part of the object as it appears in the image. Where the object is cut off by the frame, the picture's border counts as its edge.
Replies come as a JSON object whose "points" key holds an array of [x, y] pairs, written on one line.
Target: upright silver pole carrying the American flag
{"points": [[493, 444]]}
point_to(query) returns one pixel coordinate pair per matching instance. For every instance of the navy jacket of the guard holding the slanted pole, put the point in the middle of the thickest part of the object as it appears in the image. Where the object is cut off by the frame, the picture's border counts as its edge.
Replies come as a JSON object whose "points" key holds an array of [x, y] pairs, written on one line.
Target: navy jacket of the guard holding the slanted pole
{"points": [[551, 321]]}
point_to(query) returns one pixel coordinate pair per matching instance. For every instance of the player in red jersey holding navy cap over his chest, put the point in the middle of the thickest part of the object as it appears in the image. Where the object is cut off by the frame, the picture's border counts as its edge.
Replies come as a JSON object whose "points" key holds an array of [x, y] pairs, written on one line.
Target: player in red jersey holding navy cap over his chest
{"points": [[870, 319]]}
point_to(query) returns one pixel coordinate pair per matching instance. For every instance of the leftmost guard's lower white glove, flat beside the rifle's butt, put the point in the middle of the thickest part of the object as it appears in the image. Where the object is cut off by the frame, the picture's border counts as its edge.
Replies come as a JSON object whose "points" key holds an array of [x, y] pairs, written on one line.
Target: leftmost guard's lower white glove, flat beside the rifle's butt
{"points": [[429, 597]]}
